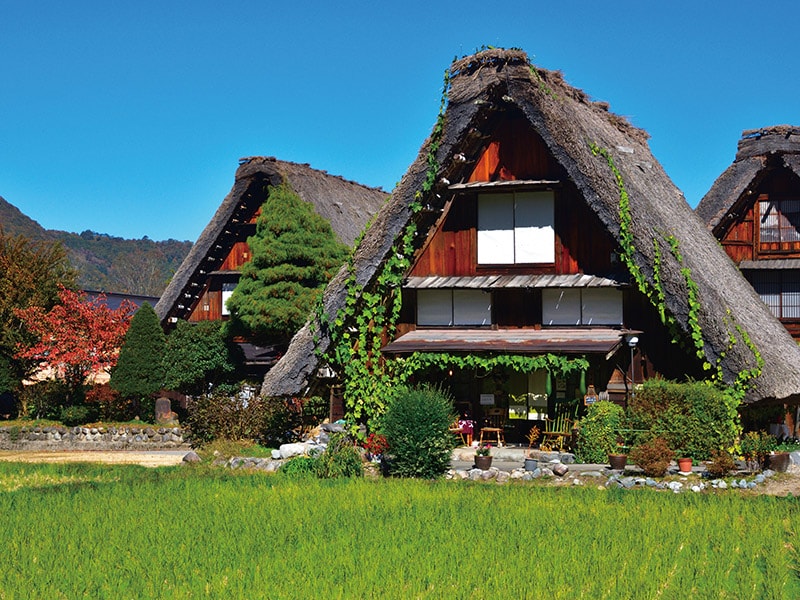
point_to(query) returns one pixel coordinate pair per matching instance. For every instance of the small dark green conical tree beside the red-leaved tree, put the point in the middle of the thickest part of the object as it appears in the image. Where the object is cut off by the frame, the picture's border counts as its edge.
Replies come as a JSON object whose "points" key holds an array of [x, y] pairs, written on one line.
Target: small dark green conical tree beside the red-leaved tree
{"points": [[139, 372]]}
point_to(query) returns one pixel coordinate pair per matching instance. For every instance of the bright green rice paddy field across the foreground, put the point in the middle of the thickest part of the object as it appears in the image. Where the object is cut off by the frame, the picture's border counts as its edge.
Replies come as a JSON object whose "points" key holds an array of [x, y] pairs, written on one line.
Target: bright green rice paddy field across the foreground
{"points": [[79, 530]]}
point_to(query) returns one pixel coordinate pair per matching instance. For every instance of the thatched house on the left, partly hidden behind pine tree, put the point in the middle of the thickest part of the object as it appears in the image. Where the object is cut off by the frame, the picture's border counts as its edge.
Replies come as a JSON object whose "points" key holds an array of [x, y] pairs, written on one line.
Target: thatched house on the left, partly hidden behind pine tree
{"points": [[210, 271]]}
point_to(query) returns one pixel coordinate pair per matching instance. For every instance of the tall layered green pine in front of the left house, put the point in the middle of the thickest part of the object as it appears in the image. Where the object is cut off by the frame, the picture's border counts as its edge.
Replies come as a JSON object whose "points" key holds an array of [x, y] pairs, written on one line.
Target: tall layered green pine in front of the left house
{"points": [[294, 254]]}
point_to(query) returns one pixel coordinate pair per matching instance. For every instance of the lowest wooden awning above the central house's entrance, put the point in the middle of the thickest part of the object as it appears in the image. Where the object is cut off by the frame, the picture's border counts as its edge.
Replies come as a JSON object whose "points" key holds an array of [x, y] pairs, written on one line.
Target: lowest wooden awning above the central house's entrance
{"points": [[575, 340]]}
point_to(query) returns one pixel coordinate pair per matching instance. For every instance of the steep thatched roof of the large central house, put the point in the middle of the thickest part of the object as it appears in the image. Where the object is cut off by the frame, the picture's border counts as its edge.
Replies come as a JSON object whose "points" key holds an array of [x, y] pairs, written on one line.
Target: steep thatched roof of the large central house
{"points": [[485, 85]]}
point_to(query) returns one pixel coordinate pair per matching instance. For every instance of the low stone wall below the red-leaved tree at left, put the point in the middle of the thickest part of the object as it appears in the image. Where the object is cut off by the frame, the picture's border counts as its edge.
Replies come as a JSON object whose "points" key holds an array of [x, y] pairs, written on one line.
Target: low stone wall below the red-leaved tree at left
{"points": [[92, 438]]}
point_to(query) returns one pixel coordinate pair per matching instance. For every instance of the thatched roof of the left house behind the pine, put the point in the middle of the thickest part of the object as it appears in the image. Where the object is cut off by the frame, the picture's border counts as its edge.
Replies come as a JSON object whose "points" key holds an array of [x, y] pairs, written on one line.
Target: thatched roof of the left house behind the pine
{"points": [[347, 205]]}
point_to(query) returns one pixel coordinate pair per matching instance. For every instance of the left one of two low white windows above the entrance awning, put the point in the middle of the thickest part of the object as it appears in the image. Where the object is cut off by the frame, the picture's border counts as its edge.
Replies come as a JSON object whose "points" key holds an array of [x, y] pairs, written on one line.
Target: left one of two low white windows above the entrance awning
{"points": [[453, 308]]}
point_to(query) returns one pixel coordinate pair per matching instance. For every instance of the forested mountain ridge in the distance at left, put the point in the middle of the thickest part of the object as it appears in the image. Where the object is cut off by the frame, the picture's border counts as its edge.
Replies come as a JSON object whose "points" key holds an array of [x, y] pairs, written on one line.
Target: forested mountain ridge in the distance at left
{"points": [[103, 262]]}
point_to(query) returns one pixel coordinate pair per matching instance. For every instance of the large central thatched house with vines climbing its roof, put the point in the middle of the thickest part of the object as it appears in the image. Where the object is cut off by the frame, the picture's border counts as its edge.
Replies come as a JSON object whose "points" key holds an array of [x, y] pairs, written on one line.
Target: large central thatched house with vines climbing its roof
{"points": [[539, 199]]}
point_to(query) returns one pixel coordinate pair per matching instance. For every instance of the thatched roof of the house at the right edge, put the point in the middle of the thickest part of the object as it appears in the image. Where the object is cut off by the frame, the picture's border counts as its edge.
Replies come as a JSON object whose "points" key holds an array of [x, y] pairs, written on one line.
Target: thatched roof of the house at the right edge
{"points": [[760, 150]]}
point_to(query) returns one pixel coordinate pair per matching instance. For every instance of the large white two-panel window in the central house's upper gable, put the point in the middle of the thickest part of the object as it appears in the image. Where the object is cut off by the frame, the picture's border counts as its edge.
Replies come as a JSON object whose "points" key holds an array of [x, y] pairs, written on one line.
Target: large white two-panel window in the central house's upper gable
{"points": [[516, 228]]}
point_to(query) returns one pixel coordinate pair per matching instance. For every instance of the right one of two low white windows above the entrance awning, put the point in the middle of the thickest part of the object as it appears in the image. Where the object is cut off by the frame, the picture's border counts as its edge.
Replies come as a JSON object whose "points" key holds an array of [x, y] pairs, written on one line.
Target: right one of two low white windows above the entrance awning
{"points": [[581, 306]]}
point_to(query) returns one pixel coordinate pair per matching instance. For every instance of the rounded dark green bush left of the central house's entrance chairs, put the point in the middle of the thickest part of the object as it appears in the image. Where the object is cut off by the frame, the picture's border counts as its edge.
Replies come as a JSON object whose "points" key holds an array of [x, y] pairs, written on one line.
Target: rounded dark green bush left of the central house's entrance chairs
{"points": [[416, 426]]}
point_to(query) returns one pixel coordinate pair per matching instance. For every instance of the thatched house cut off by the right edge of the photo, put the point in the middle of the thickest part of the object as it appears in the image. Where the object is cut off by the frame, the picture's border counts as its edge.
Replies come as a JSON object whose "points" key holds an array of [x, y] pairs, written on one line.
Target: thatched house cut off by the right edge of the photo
{"points": [[753, 209]]}
